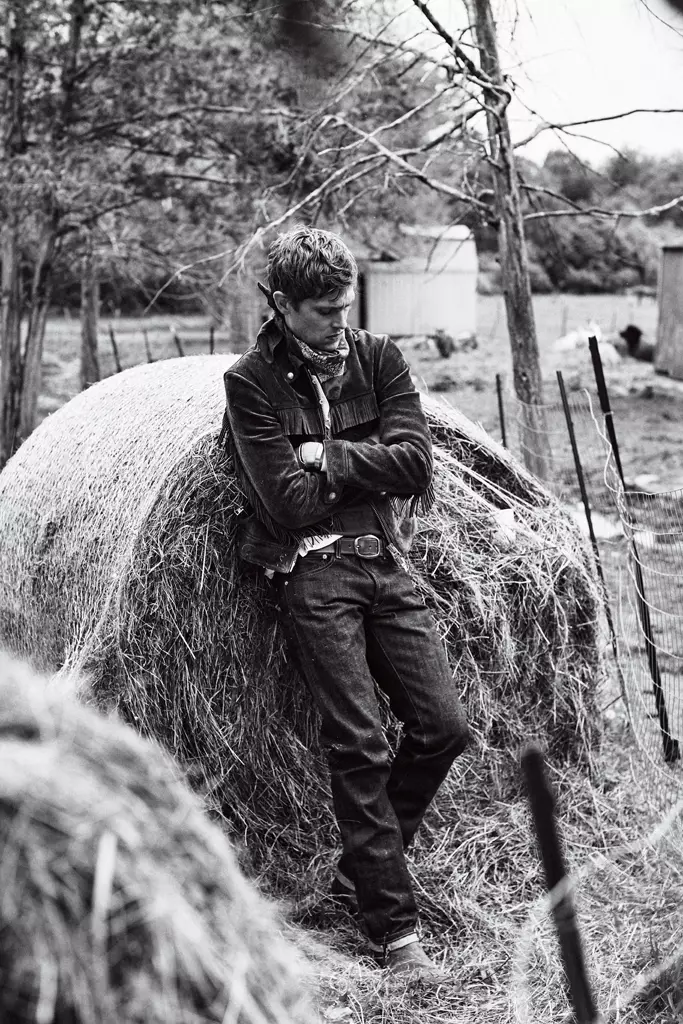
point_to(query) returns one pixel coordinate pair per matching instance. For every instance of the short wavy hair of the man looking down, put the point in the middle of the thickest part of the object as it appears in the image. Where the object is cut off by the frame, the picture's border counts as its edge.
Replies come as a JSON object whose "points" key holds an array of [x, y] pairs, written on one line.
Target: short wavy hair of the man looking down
{"points": [[309, 263]]}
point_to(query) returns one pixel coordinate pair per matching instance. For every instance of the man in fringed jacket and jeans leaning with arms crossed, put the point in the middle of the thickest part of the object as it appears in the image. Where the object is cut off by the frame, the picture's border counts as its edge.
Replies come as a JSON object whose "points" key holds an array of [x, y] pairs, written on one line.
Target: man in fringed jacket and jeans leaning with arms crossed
{"points": [[333, 451]]}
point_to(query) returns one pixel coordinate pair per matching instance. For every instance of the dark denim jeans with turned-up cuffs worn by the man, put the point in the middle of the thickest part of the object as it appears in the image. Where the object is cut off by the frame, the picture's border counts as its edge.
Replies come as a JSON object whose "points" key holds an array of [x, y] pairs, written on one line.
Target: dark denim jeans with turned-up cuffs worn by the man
{"points": [[354, 622]]}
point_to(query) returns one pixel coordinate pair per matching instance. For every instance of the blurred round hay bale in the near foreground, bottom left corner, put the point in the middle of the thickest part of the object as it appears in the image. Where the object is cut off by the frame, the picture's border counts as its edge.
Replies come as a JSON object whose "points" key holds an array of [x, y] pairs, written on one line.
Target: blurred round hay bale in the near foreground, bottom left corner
{"points": [[121, 903]]}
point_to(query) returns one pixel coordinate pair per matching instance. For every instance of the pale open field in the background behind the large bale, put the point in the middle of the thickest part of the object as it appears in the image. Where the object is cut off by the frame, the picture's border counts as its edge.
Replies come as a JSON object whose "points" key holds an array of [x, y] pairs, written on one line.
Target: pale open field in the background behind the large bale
{"points": [[466, 379]]}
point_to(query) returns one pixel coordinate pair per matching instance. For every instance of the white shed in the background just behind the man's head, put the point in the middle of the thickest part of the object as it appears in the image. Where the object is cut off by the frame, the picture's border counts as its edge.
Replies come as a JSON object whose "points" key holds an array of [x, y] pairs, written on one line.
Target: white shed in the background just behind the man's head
{"points": [[423, 294]]}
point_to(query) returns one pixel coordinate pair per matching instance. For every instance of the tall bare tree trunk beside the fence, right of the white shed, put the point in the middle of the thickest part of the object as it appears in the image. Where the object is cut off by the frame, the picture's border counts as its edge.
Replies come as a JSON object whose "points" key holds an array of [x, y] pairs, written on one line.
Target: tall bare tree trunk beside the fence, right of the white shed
{"points": [[514, 255]]}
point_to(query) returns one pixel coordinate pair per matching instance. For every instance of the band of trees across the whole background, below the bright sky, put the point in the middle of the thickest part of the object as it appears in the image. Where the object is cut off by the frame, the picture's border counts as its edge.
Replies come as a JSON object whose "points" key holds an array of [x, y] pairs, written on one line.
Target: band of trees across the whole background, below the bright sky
{"points": [[149, 150]]}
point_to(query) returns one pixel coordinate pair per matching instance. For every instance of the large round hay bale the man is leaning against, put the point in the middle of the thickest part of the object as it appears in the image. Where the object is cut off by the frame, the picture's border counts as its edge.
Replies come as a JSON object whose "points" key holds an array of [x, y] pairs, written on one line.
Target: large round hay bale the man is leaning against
{"points": [[117, 520]]}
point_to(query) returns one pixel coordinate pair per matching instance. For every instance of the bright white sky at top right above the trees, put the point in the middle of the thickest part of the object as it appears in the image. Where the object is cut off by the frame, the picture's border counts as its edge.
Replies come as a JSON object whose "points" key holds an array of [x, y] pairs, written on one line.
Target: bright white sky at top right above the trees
{"points": [[574, 60]]}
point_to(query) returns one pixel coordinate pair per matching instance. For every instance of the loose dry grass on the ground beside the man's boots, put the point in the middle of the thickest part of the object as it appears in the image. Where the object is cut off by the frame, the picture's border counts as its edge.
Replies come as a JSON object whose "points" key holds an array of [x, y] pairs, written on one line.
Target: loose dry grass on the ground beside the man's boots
{"points": [[486, 915]]}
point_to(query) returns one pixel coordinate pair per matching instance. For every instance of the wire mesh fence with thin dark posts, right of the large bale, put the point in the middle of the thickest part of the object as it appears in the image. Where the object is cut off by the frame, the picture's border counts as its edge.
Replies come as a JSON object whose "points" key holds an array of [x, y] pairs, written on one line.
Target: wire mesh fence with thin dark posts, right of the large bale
{"points": [[638, 540]]}
